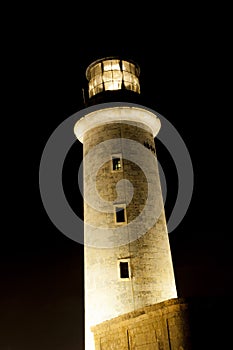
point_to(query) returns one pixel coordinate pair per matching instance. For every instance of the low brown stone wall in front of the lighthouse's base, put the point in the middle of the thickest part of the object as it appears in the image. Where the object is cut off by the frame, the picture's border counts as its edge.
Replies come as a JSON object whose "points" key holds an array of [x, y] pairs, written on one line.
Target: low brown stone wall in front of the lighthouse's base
{"points": [[162, 326]]}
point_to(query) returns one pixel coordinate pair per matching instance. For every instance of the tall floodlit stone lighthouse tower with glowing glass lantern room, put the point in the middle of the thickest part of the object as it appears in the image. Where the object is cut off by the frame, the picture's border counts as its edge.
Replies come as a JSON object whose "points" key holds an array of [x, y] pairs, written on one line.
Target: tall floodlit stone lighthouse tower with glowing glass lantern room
{"points": [[128, 263]]}
